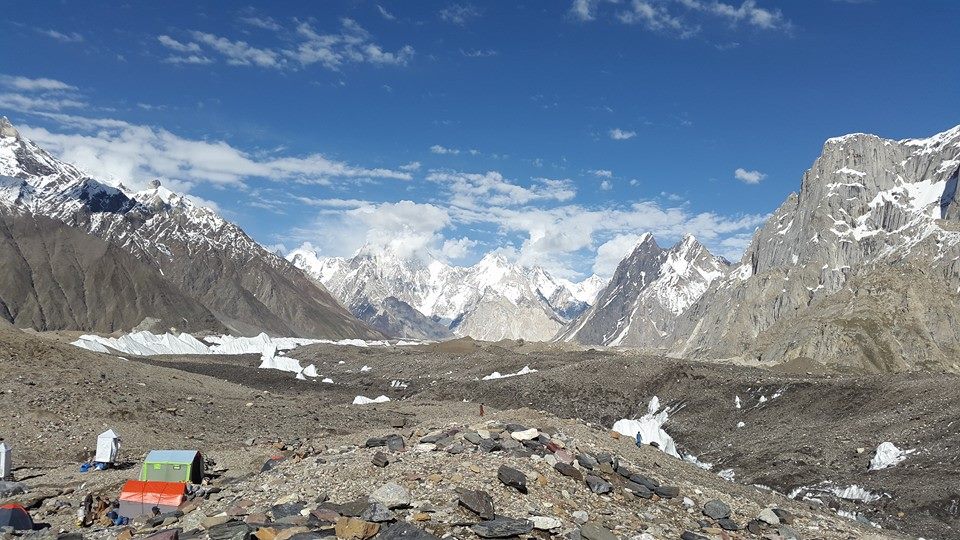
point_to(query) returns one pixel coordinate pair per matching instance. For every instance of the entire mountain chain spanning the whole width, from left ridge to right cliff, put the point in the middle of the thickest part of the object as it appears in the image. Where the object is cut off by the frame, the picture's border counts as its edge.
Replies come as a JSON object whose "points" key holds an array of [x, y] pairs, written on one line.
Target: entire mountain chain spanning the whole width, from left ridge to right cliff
{"points": [[860, 270]]}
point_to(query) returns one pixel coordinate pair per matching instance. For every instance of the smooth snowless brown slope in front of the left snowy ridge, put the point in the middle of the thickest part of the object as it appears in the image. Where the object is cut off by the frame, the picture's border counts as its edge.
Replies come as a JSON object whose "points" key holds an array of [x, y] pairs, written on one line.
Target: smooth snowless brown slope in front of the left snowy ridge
{"points": [[56, 277]]}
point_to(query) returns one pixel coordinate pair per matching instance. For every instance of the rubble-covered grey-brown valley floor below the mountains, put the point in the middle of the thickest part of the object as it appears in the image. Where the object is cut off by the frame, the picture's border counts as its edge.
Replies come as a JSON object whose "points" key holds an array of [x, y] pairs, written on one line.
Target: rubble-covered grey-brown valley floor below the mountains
{"points": [[807, 435]]}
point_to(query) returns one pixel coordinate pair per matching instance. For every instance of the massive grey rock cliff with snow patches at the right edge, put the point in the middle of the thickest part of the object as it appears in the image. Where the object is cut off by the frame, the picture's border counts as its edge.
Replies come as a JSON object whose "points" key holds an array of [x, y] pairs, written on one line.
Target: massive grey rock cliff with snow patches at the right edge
{"points": [[858, 270]]}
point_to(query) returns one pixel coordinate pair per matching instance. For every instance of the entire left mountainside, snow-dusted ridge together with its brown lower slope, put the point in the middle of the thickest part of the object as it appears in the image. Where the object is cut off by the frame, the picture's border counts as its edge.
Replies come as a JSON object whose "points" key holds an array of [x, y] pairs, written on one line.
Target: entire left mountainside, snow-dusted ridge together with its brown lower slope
{"points": [[196, 270]]}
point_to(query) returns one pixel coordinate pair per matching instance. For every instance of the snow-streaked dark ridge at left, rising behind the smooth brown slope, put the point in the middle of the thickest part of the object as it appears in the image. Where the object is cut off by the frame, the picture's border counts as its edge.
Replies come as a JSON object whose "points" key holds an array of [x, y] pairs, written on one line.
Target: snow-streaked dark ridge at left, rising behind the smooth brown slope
{"points": [[207, 258]]}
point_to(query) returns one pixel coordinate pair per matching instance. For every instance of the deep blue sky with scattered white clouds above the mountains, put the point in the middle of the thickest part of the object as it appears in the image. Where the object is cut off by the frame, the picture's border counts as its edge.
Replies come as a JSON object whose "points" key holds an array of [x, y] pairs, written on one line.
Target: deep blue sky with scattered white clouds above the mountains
{"points": [[555, 132]]}
